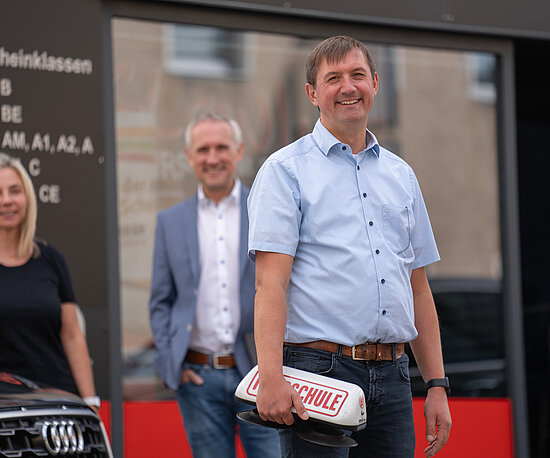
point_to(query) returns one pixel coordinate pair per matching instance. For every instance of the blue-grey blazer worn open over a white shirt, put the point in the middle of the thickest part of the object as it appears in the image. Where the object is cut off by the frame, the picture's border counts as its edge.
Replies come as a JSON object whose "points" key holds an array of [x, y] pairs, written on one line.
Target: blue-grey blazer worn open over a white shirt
{"points": [[175, 284]]}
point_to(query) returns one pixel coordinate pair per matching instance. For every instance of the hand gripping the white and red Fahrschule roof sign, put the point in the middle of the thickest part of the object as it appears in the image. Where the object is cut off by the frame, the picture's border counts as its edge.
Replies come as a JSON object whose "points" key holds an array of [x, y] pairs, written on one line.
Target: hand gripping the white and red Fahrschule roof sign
{"points": [[276, 398]]}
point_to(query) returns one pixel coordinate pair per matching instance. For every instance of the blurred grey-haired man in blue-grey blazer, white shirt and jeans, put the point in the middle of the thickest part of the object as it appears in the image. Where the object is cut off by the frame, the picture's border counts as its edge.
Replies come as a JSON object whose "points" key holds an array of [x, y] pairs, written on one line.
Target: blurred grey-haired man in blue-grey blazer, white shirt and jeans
{"points": [[202, 296]]}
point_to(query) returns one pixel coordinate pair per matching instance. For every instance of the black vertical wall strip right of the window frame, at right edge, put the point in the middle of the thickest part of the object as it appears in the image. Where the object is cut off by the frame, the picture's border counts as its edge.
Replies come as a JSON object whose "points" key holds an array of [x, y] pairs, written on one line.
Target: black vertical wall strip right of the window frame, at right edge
{"points": [[533, 125]]}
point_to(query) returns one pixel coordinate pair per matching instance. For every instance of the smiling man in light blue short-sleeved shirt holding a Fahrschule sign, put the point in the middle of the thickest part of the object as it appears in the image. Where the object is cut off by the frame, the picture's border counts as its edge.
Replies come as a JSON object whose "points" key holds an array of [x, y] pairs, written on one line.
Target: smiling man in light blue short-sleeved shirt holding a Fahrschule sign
{"points": [[340, 236]]}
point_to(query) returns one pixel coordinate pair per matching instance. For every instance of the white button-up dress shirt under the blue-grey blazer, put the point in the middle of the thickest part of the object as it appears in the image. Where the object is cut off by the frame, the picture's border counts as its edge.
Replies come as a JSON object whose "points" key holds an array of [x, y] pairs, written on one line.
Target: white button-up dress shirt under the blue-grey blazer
{"points": [[217, 316]]}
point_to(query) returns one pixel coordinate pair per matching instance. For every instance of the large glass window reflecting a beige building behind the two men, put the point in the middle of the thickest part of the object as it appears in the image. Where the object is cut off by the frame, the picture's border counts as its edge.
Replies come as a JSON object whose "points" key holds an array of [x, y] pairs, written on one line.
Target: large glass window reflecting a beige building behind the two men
{"points": [[425, 112]]}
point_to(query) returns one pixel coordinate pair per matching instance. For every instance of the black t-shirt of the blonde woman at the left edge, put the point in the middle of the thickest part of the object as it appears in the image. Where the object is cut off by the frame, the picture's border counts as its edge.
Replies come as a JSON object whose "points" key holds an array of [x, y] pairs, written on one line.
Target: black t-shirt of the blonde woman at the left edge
{"points": [[30, 319]]}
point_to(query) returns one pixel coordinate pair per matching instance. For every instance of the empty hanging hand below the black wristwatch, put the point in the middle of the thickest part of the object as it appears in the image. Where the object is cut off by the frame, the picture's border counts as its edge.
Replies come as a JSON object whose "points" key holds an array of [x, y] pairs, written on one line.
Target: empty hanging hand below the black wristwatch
{"points": [[438, 420]]}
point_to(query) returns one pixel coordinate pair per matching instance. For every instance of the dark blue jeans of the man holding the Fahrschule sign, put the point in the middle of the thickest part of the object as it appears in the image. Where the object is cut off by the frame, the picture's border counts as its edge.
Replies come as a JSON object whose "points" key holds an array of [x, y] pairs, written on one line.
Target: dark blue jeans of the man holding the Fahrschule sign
{"points": [[386, 384]]}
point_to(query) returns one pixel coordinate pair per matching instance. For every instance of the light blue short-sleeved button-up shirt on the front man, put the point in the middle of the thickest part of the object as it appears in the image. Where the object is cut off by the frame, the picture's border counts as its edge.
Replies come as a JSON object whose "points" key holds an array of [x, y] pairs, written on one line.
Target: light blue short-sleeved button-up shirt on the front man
{"points": [[356, 228]]}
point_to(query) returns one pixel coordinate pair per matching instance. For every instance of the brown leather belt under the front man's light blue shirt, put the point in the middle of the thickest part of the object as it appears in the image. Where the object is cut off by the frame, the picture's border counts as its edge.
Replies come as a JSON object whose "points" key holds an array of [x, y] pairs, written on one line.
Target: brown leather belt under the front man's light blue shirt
{"points": [[366, 351]]}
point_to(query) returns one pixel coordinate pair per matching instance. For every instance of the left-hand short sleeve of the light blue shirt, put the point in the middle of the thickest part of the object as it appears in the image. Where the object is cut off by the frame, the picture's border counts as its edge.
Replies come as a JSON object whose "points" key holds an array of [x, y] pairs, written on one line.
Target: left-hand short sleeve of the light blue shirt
{"points": [[274, 210]]}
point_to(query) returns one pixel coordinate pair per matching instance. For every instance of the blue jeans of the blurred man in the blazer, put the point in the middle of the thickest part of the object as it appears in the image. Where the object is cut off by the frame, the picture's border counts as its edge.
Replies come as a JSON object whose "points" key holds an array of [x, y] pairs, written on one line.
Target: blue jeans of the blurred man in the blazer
{"points": [[209, 416]]}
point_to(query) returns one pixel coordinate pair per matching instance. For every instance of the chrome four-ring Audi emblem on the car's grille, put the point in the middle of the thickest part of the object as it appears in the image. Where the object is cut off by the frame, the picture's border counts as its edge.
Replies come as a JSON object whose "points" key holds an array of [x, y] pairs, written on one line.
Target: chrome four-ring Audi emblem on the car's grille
{"points": [[62, 437]]}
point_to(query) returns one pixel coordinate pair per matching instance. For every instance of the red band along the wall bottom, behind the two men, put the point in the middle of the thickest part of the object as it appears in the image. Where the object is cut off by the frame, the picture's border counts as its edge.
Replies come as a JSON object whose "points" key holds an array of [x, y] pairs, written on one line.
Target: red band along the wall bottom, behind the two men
{"points": [[482, 428]]}
